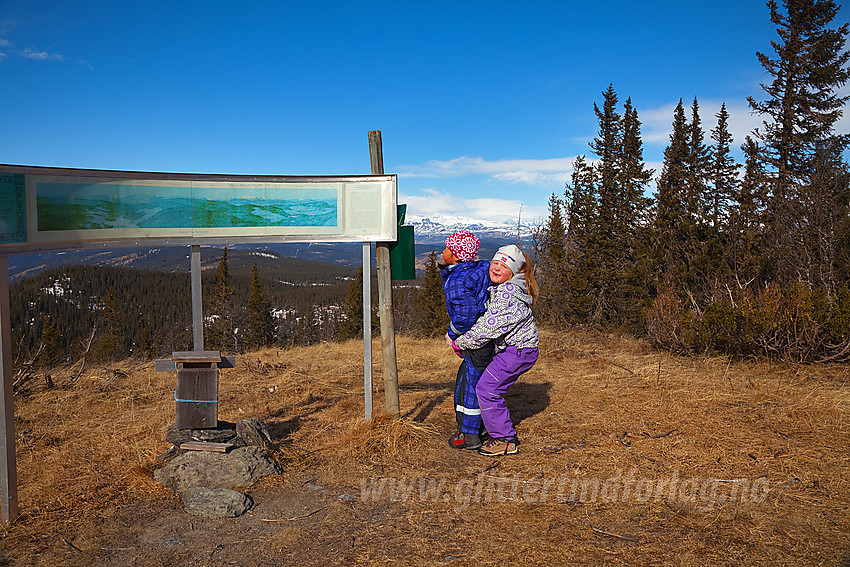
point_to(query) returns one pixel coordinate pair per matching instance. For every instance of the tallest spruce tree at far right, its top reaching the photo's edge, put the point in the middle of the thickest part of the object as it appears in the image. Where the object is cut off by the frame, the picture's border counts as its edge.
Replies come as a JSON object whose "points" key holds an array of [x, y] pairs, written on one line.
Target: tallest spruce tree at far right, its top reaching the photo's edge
{"points": [[801, 108]]}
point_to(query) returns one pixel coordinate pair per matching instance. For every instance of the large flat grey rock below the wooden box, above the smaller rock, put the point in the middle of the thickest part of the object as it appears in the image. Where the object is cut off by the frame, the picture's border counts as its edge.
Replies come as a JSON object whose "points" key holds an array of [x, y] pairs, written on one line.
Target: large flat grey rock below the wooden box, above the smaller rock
{"points": [[240, 467]]}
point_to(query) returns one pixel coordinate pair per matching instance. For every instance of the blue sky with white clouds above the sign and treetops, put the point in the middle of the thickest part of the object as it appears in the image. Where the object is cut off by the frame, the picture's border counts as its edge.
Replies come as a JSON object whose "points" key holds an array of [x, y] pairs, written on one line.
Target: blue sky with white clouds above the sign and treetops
{"points": [[482, 105]]}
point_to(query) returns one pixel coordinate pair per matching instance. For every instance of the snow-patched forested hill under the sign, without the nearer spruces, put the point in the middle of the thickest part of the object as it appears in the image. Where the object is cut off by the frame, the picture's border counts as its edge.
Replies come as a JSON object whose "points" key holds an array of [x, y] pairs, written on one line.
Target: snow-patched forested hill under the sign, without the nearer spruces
{"points": [[124, 311]]}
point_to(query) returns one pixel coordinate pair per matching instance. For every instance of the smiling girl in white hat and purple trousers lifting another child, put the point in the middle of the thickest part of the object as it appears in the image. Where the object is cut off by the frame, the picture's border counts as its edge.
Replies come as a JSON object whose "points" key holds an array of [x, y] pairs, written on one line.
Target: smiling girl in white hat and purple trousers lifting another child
{"points": [[510, 323]]}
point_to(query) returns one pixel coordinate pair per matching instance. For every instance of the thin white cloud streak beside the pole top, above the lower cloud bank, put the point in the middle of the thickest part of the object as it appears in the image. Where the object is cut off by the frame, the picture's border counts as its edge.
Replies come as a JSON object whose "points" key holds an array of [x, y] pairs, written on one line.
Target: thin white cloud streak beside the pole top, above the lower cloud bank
{"points": [[522, 171]]}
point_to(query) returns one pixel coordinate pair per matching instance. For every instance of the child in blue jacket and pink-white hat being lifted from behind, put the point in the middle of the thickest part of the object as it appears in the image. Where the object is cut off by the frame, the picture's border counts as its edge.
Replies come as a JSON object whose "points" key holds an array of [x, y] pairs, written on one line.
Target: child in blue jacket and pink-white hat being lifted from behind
{"points": [[466, 282]]}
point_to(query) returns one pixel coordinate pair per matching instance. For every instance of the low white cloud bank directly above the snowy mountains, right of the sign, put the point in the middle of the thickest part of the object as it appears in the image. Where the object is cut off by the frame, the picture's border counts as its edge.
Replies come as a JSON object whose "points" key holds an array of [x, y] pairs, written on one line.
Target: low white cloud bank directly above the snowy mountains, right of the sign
{"points": [[437, 203]]}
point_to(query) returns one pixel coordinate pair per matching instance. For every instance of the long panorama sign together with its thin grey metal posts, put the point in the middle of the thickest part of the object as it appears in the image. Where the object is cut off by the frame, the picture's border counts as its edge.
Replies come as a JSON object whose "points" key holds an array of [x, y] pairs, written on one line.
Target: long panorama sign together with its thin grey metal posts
{"points": [[45, 209]]}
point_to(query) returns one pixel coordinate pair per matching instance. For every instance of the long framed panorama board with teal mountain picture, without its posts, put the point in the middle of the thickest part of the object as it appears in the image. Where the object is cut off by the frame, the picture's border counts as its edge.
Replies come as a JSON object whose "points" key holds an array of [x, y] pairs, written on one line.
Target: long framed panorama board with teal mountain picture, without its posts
{"points": [[50, 208]]}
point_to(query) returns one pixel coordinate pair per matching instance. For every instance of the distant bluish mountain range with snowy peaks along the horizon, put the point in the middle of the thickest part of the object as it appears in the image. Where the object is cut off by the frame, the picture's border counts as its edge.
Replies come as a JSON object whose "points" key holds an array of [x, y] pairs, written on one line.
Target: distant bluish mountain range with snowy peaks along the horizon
{"points": [[429, 235]]}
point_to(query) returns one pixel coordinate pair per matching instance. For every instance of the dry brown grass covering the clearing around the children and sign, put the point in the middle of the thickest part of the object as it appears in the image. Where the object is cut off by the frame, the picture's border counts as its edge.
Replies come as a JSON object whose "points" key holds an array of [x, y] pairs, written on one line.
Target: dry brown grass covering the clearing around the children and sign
{"points": [[594, 407]]}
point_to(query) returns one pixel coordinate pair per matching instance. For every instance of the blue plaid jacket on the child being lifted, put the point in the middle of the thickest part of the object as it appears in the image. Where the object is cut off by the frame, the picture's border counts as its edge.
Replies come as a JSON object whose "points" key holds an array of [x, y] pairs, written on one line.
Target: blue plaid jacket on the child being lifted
{"points": [[465, 286]]}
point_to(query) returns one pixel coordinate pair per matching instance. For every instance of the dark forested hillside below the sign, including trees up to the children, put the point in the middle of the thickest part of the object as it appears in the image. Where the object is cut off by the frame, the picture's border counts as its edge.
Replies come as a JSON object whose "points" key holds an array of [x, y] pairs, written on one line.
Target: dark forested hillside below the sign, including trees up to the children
{"points": [[252, 298]]}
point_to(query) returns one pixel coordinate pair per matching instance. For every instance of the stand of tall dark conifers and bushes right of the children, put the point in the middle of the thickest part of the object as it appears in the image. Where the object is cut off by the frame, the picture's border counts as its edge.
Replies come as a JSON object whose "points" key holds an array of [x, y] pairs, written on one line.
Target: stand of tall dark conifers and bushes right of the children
{"points": [[747, 258]]}
